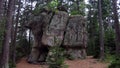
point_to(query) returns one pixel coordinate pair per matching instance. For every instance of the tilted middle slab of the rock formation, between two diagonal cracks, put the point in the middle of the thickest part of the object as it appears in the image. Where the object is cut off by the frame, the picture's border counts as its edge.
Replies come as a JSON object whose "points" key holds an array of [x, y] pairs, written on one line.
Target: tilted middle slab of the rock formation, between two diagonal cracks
{"points": [[54, 32]]}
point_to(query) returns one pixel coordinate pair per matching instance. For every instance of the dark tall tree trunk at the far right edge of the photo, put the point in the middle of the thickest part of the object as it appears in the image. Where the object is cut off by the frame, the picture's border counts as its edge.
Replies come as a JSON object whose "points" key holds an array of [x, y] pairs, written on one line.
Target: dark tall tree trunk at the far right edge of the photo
{"points": [[117, 28]]}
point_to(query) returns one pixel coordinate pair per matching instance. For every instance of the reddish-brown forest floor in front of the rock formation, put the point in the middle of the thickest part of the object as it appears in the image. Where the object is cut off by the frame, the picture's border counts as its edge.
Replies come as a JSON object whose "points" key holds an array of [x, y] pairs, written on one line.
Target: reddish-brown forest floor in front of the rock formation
{"points": [[89, 62]]}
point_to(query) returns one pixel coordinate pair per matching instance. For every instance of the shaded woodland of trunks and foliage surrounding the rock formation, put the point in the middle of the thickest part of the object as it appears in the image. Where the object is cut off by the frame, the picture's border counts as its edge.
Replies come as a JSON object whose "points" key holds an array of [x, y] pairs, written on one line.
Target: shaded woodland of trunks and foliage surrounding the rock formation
{"points": [[103, 27]]}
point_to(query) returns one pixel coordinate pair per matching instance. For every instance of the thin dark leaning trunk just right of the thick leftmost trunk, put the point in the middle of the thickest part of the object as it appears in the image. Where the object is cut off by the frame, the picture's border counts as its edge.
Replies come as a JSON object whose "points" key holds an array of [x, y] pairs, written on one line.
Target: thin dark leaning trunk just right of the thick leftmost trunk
{"points": [[15, 34]]}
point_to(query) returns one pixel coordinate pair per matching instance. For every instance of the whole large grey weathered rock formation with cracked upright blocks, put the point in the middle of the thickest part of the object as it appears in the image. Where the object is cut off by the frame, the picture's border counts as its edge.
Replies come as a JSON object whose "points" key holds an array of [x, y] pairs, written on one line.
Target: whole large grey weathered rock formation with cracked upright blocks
{"points": [[58, 29]]}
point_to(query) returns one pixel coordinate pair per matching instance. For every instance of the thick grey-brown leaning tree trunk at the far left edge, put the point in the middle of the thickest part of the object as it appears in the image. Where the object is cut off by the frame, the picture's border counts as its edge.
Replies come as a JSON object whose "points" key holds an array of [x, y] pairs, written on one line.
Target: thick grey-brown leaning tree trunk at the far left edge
{"points": [[5, 52]]}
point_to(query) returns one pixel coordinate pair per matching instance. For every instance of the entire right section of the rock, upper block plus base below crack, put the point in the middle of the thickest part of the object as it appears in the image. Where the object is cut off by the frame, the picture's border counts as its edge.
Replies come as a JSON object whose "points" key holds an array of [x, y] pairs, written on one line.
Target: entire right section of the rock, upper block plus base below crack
{"points": [[75, 39]]}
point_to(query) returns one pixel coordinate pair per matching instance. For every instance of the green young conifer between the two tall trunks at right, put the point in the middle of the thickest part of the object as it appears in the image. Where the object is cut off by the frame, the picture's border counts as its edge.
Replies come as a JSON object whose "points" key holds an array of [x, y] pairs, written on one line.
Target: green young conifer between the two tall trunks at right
{"points": [[109, 45]]}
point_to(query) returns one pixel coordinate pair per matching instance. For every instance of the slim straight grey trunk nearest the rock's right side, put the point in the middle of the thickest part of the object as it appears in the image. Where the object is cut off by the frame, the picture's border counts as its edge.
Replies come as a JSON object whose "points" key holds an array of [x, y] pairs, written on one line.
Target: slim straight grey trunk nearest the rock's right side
{"points": [[101, 30]]}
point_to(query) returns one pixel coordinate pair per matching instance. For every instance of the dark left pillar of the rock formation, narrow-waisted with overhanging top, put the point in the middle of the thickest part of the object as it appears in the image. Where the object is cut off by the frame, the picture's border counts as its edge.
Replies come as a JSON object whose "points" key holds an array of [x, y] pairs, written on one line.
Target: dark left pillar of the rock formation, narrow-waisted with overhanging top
{"points": [[37, 25]]}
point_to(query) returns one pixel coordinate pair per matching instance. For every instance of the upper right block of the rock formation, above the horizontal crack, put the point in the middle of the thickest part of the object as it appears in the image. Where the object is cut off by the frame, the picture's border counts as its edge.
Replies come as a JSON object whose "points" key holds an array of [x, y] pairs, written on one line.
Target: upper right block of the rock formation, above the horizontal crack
{"points": [[75, 34]]}
